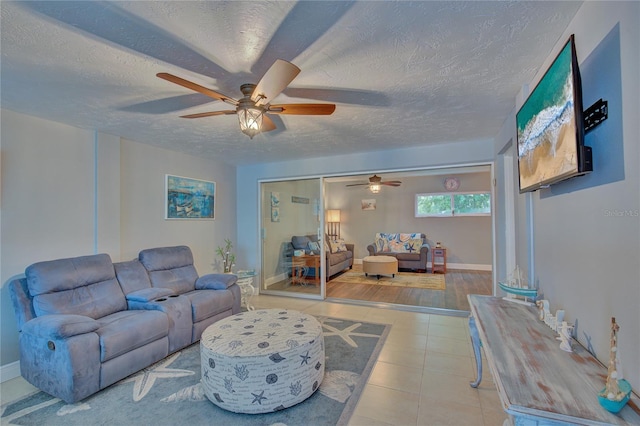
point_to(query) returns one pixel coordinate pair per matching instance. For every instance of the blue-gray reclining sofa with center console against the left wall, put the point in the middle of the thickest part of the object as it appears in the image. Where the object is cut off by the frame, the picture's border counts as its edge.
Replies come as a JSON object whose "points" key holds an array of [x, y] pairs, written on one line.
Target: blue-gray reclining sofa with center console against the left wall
{"points": [[85, 323]]}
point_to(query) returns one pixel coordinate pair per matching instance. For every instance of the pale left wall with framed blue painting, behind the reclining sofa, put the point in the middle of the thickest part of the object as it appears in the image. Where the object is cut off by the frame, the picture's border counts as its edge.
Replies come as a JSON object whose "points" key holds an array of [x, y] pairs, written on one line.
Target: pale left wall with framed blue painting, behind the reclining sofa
{"points": [[70, 192]]}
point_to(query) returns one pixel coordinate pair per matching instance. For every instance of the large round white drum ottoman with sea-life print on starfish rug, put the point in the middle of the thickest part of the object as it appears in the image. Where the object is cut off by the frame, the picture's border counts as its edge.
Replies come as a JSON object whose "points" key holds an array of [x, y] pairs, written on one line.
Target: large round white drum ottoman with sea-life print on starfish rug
{"points": [[262, 361]]}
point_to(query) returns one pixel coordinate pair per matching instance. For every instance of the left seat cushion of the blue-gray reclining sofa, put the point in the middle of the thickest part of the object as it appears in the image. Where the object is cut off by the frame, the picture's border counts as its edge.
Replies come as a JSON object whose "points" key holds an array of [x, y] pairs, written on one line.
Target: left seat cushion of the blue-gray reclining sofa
{"points": [[124, 331]]}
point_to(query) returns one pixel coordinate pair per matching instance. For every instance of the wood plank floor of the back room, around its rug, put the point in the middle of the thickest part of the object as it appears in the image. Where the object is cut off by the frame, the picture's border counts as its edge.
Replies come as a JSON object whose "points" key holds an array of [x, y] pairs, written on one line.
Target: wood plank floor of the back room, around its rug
{"points": [[458, 283]]}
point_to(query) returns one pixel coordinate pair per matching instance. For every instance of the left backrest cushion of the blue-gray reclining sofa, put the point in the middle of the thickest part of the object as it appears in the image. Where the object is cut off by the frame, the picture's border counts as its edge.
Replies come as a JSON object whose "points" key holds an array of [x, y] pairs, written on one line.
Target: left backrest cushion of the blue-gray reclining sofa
{"points": [[84, 285]]}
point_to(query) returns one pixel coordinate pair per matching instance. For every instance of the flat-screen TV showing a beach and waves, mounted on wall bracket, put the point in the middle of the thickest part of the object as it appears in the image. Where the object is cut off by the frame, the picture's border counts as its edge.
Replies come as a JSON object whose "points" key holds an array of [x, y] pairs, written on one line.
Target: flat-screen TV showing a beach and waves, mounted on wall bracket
{"points": [[551, 128]]}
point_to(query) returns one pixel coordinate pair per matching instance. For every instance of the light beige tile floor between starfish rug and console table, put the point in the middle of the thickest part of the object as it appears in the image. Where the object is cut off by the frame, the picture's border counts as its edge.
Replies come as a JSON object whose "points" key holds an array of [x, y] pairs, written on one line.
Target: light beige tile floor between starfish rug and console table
{"points": [[421, 377]]}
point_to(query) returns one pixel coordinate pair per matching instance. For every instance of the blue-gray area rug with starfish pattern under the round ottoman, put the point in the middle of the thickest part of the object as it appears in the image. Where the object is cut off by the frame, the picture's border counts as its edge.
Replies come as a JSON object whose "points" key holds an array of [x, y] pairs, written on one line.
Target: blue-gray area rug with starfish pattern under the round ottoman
{"points": [[169, 392]]}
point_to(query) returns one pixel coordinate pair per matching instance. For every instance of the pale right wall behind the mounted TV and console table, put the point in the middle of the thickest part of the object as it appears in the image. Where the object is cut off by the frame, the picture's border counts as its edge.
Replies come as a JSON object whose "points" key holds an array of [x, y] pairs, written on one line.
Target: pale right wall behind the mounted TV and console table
{"points": [[585, 233]]}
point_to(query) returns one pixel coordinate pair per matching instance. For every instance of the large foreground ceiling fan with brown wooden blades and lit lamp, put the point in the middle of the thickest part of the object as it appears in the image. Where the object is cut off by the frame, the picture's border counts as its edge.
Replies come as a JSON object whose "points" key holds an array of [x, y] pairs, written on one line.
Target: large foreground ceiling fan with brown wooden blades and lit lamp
{"points": [[253, 107]]}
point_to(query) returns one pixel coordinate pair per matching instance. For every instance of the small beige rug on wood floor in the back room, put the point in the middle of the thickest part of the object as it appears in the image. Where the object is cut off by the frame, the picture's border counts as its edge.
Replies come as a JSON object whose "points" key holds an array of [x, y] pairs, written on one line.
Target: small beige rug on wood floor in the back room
{"points": [[402, 279]]}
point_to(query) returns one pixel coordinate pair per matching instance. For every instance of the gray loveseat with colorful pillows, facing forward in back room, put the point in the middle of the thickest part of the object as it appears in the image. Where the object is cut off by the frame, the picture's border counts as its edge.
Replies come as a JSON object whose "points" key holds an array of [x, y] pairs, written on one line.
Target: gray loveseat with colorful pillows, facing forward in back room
{"points": [[411, 250]]}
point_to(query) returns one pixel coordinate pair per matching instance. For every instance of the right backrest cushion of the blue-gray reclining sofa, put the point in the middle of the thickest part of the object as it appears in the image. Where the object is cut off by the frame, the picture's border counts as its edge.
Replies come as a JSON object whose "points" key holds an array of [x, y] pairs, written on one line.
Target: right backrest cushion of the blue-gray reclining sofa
{"points": [[170, 267]]}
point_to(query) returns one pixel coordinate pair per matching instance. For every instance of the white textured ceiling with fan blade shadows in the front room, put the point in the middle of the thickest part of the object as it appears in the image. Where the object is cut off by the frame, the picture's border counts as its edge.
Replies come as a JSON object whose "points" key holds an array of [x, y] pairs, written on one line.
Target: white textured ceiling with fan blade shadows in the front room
{"points": [[401, 73]]}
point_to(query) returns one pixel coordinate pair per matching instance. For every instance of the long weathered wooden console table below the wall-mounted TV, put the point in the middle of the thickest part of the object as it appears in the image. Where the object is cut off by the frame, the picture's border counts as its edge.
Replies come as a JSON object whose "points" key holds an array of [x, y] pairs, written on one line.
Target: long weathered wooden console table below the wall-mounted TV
{"points": [[538, 383]]}
